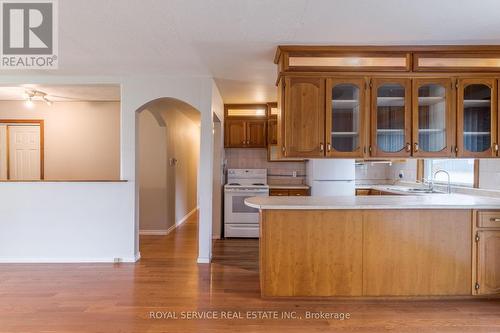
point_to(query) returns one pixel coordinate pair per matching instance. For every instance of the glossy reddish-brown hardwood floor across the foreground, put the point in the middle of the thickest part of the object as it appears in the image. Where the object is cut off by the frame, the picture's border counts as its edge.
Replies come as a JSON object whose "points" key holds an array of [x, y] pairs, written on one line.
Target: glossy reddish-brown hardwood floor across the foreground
{"points": [[119, 298]]}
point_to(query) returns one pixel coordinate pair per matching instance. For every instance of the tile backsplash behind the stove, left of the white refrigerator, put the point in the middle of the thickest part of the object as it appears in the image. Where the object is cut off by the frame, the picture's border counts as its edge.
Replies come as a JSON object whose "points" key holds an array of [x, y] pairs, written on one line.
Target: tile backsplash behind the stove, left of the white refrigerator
{"points": [[256, 158]]}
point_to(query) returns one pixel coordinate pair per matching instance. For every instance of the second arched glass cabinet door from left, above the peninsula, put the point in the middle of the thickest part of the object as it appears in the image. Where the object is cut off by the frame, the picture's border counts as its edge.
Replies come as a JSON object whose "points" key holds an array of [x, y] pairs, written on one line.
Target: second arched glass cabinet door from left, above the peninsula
{"points": [[391, 117]]}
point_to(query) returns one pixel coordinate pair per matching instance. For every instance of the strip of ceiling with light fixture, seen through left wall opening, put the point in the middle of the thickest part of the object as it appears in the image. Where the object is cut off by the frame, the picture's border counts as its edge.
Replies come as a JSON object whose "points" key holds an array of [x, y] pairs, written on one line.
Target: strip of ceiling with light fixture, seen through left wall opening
{"points": [[63, 93]]}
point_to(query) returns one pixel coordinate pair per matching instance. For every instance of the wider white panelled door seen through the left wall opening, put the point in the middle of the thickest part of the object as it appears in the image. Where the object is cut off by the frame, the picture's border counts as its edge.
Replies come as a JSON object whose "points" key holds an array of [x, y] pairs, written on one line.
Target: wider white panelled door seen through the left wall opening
{"points": [[24, 152]]}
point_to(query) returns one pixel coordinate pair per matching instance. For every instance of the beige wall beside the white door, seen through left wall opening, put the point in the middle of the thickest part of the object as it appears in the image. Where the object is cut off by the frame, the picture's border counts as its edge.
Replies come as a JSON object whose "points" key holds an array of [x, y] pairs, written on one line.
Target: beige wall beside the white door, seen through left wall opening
{"points": [[82, 139]]}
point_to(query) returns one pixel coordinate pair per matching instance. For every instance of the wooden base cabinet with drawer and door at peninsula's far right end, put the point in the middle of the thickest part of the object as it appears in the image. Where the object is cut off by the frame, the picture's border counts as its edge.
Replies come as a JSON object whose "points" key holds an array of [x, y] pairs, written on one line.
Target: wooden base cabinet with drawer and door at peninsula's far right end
{"points": [[487, 253]]}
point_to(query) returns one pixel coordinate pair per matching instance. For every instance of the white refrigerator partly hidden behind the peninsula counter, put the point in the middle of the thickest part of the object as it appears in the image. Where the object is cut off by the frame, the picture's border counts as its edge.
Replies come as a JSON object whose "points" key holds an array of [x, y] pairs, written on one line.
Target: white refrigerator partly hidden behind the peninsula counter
{"points": [[331, 177]]}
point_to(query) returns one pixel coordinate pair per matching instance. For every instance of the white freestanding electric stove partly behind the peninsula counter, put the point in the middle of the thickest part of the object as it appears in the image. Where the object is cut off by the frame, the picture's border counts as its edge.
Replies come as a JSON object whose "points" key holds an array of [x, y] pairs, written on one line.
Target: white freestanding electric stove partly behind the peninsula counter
{"points": [[239, 219]]}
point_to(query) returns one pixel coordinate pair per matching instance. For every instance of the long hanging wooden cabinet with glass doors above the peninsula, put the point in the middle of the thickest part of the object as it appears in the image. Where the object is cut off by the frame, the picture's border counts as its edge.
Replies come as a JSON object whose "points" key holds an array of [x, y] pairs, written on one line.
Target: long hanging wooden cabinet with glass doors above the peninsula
{"points": [[422, 102]]}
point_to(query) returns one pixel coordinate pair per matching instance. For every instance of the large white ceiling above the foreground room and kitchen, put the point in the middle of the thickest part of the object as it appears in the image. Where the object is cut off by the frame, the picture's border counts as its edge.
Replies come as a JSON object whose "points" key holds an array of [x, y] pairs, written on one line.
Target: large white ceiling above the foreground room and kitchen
{"points": [[234, 40]]}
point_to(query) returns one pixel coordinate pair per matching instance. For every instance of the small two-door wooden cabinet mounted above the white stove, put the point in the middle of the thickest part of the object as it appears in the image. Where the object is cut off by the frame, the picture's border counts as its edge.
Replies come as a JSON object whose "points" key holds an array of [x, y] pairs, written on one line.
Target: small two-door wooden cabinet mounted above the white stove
{"points": [[245, 133]]}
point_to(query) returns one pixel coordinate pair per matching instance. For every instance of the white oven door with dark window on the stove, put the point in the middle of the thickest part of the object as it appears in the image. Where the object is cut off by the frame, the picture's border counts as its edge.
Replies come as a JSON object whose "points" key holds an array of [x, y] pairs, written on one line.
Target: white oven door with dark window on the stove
{"points": [[236, 211]]}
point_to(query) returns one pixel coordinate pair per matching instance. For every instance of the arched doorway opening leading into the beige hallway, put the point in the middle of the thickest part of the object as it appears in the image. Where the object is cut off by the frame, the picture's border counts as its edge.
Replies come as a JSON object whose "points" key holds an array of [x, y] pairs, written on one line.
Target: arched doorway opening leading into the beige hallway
{"points": [[168, 155]]}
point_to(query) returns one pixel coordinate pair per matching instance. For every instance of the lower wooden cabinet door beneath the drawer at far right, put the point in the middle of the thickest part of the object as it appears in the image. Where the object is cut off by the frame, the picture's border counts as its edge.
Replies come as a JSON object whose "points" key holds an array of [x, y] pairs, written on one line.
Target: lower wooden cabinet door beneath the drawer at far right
{"points": [[488, 262]]}
